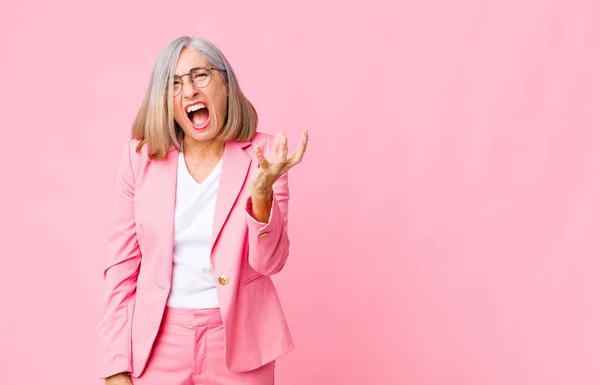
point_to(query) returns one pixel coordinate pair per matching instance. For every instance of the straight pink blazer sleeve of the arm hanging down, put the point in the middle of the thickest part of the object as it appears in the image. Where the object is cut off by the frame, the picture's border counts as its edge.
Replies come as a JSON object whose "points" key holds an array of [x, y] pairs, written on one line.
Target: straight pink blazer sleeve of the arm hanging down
{"points": [[120, 275]]}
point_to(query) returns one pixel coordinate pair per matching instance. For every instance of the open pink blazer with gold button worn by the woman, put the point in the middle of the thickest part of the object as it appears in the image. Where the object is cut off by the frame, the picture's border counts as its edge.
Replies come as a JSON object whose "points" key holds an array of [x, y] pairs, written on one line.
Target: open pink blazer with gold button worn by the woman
{"points": [[245, 254]]}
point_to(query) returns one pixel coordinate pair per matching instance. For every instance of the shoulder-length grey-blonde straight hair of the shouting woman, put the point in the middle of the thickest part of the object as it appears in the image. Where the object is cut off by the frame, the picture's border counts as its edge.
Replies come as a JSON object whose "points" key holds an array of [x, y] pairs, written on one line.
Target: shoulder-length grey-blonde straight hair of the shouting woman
{"points": [[155, 125]]}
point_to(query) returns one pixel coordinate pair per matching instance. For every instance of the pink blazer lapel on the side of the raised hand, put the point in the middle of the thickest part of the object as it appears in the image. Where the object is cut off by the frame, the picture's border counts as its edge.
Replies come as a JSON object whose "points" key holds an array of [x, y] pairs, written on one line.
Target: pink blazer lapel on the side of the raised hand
{"points": [[234, 170]]}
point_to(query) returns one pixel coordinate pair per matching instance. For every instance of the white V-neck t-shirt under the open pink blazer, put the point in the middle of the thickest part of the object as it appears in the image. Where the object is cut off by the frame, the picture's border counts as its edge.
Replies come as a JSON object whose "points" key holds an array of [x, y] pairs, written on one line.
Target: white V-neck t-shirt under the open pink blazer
{"points": [[193, 285]]}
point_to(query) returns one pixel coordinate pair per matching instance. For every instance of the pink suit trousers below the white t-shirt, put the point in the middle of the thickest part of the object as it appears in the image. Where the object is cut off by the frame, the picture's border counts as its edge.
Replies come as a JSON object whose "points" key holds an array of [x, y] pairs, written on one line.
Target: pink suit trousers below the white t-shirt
{"points": [[190, 350]]}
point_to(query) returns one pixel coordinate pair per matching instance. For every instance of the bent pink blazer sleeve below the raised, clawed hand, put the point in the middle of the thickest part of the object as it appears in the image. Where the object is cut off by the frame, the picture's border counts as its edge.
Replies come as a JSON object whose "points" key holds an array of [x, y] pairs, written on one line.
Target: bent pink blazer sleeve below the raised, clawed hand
{"points": [[268, 243]]}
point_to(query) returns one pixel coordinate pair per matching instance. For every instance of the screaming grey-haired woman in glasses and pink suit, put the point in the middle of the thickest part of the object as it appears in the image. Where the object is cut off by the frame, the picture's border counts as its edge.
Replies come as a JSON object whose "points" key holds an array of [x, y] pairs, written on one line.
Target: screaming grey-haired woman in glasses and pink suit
{"points": [[200, 225]]}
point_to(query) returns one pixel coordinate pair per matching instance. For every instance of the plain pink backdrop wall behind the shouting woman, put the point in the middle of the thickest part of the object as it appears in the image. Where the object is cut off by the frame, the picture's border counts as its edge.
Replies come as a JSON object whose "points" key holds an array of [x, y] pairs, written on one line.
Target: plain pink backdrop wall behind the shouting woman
{"points": [[444, 221]]}
